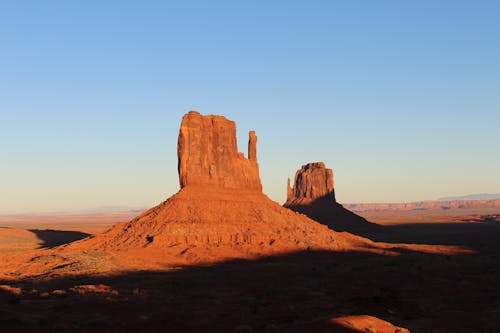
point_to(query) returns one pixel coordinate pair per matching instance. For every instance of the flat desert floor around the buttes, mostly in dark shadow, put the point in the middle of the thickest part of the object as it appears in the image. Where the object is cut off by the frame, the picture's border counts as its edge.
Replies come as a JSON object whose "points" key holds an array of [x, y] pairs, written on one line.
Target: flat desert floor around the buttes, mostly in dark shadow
{"points": [[295, 292]]}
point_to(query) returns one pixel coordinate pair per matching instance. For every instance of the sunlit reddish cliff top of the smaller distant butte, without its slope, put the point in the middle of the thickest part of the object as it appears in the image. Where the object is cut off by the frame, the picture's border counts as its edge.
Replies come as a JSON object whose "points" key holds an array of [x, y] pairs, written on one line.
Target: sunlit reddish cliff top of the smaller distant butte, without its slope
{"points": [[312, 181]]}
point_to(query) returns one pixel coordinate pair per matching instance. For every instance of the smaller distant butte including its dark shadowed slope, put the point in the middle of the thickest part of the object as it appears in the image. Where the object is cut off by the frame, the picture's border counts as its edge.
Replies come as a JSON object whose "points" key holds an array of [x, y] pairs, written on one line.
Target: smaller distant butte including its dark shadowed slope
{"points": [[313, 194]]}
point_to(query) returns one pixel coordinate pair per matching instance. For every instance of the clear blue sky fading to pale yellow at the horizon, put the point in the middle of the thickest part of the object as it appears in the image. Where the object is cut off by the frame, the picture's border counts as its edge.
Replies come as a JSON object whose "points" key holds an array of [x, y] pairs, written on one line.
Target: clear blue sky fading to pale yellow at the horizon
{"points": [[400, 98]]}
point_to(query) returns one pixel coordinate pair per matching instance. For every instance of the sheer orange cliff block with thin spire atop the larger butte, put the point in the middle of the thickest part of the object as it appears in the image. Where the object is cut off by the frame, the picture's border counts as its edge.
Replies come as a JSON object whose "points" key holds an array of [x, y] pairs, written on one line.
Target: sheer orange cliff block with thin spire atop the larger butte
{"points": [[208, 155]]}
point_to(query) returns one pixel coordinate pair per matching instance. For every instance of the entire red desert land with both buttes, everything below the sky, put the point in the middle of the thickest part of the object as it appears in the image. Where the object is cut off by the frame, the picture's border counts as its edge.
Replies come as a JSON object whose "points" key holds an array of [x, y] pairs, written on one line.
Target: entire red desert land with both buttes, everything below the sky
{"points": [[220, 256]]}
